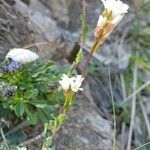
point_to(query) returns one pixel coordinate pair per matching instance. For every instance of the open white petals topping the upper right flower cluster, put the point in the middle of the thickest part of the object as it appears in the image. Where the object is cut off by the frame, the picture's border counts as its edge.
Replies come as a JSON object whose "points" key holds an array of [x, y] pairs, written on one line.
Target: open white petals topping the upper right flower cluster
{"points": [[117, 7]]}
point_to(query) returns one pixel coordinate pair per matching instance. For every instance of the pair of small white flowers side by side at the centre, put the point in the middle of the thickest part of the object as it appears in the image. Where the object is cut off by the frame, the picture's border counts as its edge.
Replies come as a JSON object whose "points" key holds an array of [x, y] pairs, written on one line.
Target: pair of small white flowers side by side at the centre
{"points": [[72, 83]]}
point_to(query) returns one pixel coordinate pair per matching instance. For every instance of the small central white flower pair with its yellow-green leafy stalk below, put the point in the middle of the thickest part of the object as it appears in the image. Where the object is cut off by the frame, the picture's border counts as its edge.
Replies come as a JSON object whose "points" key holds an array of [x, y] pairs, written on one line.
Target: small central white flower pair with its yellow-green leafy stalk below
{"points": [[70, 85]]}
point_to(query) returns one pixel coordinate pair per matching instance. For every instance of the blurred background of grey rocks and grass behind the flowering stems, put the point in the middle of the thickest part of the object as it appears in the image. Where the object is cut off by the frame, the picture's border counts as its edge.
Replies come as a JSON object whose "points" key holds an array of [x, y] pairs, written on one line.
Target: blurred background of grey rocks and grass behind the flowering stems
{"points": [[119, 70]]}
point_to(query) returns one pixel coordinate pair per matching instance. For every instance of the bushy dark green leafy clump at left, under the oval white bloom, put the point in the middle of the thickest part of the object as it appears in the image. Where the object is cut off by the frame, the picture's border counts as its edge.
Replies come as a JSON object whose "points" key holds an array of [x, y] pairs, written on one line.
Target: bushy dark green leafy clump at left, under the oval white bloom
{"points": [[36, 94]]}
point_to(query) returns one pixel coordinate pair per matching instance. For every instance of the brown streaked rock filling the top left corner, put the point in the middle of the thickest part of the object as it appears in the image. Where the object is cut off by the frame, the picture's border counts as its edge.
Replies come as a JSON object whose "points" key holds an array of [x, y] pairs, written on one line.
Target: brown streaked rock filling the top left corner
{"points": [[14, 30]]}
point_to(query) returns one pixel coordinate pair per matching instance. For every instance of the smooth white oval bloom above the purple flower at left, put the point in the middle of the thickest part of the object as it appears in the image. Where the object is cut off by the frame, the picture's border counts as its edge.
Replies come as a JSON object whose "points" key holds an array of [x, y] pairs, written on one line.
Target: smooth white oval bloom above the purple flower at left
{"points": [[21, 55]]}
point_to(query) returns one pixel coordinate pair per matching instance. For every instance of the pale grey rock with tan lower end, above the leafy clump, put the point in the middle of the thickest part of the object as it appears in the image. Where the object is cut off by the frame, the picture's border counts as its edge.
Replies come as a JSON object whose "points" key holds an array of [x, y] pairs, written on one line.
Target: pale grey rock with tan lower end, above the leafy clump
{"points": [[44, 28]]}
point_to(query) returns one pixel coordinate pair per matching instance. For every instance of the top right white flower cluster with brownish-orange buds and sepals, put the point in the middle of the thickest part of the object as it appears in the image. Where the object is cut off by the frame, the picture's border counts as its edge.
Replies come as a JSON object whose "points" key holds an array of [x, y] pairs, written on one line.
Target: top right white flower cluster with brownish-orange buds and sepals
{"points": [[111, 16]]}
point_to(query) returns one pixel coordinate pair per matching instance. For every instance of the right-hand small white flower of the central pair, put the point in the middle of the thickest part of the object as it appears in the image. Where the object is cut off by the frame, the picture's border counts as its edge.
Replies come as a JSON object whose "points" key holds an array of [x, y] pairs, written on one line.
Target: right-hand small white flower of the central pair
{"points": [[76, 83]]}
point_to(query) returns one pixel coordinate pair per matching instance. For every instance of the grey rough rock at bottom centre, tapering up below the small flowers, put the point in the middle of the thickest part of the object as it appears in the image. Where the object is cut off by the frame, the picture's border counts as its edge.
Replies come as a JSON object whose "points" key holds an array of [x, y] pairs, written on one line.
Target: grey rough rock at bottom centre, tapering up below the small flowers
{"points": [[85, 128]]}
